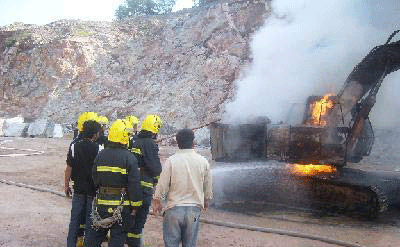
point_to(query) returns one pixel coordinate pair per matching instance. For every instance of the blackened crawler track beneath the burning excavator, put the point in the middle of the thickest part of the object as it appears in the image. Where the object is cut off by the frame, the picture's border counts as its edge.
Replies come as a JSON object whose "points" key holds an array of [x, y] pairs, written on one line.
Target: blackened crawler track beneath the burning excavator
{"points": [[368, 194]]}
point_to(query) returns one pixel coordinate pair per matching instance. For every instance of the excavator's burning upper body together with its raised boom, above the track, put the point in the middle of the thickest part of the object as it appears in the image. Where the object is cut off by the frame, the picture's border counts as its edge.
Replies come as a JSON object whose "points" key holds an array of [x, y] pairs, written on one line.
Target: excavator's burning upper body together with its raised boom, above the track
{"points": [[343, 134]]}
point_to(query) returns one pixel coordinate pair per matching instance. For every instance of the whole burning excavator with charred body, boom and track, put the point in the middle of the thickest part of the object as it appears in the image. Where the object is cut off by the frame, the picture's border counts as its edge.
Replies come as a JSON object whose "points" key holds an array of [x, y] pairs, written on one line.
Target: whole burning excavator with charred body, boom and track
{"points": [[334, 130]]}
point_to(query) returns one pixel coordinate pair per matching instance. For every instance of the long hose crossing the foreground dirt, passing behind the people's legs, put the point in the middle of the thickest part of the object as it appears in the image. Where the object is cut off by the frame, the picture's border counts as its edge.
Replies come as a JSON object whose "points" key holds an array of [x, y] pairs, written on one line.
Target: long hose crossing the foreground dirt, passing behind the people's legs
{"points": [[221, 223]]}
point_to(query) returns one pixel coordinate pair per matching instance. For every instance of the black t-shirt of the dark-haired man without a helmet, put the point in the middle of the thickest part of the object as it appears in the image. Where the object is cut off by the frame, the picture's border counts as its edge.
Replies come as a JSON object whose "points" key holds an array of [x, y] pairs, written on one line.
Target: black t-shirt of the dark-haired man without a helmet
{"points": [[83, 154]]}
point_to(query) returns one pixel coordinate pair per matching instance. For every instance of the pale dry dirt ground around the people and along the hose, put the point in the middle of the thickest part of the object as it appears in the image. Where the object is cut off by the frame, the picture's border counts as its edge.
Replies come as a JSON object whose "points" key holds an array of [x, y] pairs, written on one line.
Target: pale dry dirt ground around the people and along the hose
{"points": [[33, 218]]}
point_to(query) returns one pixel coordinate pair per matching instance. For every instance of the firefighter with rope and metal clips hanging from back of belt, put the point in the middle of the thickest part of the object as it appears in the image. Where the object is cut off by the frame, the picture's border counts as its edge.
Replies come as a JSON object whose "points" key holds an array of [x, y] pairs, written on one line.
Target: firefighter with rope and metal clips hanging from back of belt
{"points": [[117, 179]]}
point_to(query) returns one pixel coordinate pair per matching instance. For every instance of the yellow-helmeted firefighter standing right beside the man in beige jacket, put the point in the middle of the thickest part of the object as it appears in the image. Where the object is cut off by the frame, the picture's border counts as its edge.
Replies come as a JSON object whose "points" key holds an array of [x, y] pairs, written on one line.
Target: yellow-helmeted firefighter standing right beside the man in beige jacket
{"points": [[145, 148]]}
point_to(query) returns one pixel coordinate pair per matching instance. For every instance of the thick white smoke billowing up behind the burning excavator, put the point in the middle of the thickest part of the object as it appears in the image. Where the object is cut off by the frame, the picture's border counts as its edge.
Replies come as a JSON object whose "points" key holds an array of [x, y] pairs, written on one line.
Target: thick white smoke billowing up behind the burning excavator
{"points": [[308, 47]]}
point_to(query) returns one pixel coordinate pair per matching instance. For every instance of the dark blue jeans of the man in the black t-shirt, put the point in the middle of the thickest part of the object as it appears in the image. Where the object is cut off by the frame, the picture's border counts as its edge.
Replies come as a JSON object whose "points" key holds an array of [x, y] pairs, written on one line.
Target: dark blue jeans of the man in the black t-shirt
{"points": [[81, 208]]}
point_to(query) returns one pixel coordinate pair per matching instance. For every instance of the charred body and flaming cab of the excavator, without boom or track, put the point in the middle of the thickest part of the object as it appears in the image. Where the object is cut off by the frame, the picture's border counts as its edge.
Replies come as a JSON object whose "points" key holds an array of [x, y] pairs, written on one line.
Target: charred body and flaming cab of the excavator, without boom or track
{"points": [[312, 141]]}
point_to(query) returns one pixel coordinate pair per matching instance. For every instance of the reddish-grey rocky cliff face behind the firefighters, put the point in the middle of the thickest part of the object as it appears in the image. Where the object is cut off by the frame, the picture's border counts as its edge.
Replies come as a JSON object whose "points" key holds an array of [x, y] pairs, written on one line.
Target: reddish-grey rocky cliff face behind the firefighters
{"points": [[181, 66]]}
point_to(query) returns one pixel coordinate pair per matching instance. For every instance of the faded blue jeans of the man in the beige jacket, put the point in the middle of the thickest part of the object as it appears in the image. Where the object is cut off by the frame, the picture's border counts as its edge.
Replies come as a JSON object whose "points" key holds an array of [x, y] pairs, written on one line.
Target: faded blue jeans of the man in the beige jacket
{"points": [[181, 224]]}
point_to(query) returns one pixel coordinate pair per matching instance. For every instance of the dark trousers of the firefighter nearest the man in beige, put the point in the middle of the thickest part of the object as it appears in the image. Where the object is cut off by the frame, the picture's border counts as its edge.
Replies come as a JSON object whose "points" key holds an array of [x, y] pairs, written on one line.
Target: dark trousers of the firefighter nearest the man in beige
{"points": [[135, 232]]}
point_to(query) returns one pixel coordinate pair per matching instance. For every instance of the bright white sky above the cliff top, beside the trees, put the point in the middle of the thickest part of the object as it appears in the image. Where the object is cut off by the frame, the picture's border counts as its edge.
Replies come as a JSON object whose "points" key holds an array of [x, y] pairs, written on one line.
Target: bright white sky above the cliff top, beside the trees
{"points": [[41, 12]]}
